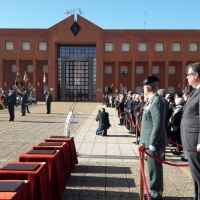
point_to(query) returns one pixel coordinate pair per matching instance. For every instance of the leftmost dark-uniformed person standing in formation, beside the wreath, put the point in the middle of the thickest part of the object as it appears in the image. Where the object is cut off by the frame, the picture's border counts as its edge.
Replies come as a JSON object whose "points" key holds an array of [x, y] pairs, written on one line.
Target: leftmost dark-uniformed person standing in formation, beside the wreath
{"points": [[11, 101]]}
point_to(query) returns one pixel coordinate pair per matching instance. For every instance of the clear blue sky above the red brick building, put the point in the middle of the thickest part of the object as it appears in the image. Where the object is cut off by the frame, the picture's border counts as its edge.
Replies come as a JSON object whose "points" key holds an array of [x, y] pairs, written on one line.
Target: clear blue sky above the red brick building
{"points": [[107, 14]]}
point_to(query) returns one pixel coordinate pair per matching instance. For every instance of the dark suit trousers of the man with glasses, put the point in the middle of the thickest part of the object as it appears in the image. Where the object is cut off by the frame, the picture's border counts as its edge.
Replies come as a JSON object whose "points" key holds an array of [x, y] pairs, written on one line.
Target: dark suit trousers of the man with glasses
{"points": [[194, 163]]}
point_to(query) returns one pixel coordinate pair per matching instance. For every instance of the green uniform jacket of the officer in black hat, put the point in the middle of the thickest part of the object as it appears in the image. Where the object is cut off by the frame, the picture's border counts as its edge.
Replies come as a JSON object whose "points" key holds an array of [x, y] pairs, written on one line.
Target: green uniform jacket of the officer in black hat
{"points": [[153, 123]]}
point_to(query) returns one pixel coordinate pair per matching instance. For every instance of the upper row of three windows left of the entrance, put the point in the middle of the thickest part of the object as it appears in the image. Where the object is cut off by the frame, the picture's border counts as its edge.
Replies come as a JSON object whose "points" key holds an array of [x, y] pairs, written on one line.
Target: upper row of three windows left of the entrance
{"points": [[25, 46]]}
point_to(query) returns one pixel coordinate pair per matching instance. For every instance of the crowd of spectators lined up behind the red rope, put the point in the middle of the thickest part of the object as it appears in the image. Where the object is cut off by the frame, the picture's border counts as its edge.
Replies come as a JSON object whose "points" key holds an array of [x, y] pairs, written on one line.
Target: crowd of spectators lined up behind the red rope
{"points": [[130, 106]]}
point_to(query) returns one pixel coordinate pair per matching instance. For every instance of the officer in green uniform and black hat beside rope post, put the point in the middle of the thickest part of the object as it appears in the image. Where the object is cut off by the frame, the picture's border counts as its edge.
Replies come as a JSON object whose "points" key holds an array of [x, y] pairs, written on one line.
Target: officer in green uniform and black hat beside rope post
{"points": [[153, 134]]}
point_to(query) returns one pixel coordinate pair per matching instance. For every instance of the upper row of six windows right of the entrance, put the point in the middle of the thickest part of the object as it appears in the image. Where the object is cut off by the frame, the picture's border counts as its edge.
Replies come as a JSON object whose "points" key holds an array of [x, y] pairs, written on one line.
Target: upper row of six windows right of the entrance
{"points": [[159, 46]]}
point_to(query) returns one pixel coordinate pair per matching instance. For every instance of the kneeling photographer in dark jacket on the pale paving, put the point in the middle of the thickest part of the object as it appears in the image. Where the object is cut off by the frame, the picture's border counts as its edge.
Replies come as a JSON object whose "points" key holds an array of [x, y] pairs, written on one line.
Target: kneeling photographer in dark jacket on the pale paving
{"points": [[104, 124]]}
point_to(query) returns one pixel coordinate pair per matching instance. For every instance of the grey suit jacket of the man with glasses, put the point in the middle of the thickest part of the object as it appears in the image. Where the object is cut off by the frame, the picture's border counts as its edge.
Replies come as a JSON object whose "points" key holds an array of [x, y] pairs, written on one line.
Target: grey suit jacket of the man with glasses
{"points": [[190, 133]]}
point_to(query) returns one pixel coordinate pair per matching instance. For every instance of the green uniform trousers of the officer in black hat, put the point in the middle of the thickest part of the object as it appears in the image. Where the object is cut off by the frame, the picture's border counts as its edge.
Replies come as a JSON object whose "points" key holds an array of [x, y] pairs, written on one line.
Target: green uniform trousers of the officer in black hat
{"points": [[155, 173]]}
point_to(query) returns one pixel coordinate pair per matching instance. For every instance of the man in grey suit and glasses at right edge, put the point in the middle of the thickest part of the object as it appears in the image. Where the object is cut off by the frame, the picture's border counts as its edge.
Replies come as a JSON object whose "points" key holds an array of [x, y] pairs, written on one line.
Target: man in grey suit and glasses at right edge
{"points": [[190, 129]]}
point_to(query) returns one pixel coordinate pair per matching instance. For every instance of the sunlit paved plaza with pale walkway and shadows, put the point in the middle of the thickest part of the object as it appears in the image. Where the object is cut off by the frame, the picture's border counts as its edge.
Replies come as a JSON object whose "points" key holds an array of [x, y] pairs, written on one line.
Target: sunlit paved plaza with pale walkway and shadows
{"points": [[108, 167]]}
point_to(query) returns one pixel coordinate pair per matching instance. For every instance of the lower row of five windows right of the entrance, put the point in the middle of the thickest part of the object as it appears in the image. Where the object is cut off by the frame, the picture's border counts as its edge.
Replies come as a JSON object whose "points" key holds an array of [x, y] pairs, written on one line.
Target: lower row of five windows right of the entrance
{"points": [[140, 69]]}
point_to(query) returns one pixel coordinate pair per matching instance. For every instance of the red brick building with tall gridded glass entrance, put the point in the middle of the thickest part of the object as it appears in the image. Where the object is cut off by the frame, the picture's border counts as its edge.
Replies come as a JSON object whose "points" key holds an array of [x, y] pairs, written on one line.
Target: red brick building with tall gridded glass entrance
{"points": [[81, 61]]}
